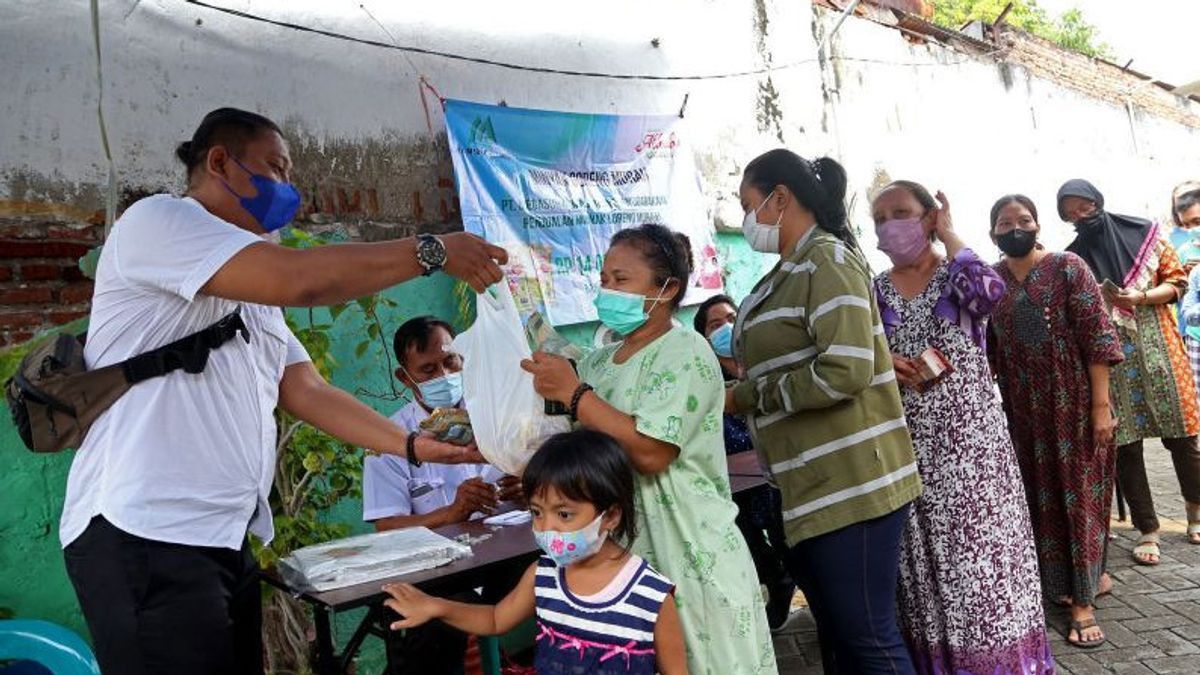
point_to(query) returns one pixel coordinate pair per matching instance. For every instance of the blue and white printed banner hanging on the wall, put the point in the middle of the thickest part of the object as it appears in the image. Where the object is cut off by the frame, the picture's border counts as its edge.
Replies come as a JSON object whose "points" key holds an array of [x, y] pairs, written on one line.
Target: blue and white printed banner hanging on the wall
{"points": [[554, 188]]}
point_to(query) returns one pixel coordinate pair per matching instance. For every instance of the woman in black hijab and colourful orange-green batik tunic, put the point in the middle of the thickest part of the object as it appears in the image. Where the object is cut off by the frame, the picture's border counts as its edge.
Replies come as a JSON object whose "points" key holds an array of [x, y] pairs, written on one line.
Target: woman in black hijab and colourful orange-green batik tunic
{"points": [[1153, 392]]}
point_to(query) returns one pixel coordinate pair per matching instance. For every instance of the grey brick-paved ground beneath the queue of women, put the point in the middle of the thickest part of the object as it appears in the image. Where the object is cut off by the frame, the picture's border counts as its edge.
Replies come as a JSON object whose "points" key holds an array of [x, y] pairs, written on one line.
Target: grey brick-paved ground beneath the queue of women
{"points": [[1153, 619]]}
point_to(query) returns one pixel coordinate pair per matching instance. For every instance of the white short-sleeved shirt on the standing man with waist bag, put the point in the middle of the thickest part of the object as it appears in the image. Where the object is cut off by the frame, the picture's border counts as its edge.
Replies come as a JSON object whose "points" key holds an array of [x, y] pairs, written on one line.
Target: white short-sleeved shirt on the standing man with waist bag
{"points": [[185, 459]]}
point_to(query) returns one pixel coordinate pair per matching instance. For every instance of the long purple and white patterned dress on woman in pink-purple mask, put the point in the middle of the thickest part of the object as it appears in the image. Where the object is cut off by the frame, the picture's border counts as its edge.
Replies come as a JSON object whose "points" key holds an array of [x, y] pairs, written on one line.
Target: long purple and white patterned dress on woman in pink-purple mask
{"points": [[970, 600]]}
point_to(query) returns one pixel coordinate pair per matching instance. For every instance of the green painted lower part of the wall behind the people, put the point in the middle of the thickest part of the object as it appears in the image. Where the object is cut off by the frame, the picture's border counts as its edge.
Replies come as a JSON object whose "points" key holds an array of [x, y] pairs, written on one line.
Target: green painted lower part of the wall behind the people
{"points": [[34, 583]]}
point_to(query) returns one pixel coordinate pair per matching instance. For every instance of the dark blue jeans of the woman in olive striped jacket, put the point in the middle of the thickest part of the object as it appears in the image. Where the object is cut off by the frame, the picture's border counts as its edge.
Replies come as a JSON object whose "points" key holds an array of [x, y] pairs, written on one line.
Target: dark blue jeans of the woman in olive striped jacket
{"points": [[850, 581]]}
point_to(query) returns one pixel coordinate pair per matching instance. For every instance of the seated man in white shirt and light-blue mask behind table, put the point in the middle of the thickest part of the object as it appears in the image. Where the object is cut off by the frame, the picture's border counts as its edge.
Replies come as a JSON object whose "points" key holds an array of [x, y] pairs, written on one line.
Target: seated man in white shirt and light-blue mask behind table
{"points": [[399, 494]]}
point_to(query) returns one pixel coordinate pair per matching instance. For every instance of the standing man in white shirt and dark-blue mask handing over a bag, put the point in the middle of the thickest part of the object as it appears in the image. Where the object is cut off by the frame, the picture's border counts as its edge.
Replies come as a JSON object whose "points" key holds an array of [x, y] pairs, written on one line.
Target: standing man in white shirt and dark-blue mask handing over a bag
{"points": [[171, 480]]}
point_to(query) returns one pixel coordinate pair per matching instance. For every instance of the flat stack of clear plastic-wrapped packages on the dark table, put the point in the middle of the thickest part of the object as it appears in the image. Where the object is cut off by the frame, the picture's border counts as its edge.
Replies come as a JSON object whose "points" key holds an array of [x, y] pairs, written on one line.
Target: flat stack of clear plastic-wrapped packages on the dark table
{"points": [[369, 558]]}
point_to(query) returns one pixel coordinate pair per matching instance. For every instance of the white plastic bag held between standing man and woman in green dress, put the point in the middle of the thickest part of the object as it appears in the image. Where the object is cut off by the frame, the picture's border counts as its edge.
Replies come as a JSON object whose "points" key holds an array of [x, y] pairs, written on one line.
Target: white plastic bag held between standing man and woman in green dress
{"points": [[507, 415]]}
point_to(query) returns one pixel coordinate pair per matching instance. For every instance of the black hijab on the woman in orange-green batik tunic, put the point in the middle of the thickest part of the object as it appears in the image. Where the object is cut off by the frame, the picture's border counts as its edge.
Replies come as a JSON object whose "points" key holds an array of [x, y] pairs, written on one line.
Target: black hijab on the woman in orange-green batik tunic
{"points": [[1111, 244]]}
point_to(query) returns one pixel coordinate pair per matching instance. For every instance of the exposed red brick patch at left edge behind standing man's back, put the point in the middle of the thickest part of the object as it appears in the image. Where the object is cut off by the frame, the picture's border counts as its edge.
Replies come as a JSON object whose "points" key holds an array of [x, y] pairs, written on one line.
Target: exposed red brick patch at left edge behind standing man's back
{"points": [[41, 285]]}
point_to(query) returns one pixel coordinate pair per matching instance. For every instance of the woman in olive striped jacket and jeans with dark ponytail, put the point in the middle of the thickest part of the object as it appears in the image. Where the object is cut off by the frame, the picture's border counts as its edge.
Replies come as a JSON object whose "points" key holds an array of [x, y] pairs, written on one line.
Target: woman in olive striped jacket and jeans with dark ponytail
{"points": [[825, 410]]}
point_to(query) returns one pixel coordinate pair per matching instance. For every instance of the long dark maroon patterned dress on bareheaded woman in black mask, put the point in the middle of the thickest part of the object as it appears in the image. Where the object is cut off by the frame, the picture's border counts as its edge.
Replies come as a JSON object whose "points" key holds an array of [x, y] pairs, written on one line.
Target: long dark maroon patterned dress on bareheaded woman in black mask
{"points": [[1046, 333]]}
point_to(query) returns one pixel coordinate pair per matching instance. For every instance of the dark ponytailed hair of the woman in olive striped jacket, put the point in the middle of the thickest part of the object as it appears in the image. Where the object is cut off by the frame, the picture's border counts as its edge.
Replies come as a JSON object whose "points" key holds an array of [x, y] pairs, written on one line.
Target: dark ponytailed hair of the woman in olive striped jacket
{"points": [[820, 186]]}
